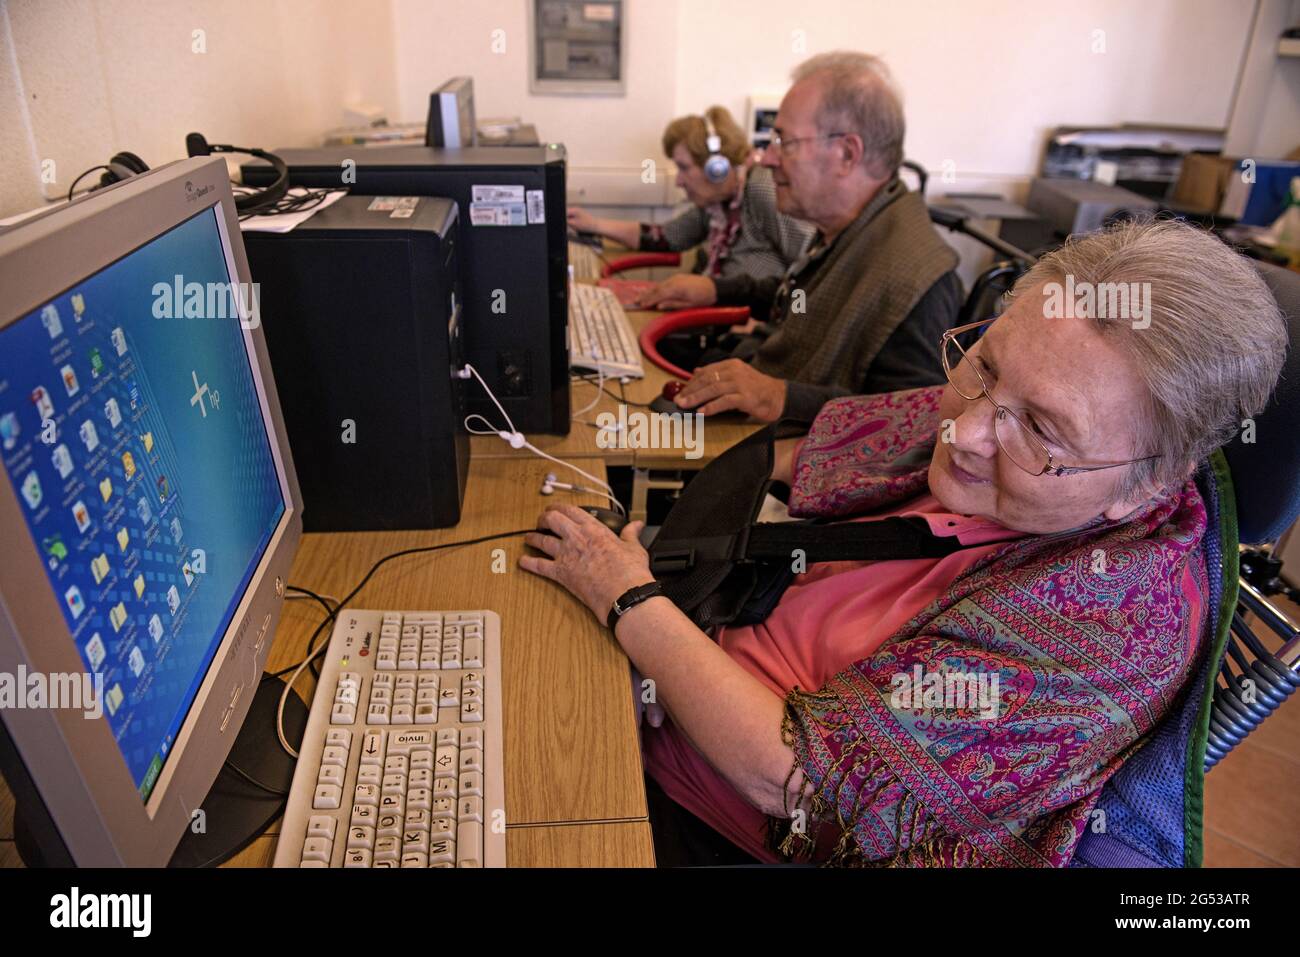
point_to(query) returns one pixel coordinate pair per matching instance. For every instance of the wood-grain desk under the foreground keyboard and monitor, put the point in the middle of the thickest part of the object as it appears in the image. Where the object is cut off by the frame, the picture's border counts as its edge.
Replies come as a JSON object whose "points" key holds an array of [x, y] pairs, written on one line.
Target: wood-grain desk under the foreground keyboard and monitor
{"points": [[575, 794]]}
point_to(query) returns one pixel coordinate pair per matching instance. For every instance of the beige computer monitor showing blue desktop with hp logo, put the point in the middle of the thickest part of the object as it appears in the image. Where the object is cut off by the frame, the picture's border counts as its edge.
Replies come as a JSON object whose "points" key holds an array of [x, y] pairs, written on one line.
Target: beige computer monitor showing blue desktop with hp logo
{"points": [[150, 512]]}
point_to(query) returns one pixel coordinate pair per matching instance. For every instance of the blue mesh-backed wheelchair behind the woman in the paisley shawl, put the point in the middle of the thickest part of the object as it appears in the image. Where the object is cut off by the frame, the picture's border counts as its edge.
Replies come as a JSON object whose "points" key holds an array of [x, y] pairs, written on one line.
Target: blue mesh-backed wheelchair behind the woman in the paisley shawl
{"points": [[1151, 812]]}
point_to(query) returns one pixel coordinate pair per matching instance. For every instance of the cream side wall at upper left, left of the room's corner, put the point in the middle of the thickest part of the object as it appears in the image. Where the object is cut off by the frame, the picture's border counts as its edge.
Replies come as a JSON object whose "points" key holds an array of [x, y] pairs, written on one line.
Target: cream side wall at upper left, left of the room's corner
{"points": [[81, 80]]}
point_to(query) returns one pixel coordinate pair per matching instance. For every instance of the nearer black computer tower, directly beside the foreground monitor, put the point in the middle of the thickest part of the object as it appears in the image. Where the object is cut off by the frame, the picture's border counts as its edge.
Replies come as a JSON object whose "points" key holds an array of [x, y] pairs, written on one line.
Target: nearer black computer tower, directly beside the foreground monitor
{"points": [[362, 314]]}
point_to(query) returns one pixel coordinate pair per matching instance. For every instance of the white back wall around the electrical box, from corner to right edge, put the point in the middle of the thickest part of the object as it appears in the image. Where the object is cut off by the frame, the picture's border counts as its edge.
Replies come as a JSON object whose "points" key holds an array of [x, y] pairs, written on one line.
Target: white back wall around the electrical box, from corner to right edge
{"points": [[983, 80]]}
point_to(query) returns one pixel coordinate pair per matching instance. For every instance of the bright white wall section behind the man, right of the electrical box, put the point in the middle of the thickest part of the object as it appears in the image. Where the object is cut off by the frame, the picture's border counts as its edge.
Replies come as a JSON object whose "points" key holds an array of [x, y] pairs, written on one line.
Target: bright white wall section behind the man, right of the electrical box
{"points": [[986, 80]]}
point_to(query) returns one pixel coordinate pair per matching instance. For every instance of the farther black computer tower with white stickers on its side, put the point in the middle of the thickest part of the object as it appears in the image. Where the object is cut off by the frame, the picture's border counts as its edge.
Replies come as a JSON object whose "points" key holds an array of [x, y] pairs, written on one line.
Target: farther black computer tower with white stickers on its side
{"points": [[514, 257]]}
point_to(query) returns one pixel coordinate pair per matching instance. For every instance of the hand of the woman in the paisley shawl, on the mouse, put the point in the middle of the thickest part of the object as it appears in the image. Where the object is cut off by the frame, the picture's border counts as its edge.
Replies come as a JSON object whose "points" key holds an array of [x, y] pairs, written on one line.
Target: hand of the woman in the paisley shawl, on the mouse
{"points": [[587, 558]]}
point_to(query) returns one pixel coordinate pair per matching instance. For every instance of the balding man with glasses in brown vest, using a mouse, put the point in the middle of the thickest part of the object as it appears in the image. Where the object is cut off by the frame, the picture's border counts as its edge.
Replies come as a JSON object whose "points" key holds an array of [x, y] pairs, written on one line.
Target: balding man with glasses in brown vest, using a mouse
{"points": [[863, 310]]}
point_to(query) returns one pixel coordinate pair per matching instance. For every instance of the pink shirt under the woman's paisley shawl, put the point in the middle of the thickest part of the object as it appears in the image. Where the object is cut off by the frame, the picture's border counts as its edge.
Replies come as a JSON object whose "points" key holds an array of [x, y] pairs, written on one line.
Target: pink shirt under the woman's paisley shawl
{"points": [[833, 616]]}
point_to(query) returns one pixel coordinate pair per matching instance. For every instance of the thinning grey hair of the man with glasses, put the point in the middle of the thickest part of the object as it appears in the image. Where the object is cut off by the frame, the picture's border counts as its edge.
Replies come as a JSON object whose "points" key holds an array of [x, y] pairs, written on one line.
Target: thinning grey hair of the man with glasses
{"points": [[859, 96]]}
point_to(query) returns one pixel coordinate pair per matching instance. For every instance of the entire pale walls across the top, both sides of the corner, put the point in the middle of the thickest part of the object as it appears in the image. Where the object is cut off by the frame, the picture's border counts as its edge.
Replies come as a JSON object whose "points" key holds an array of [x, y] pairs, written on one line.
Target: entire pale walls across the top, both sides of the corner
{"points": [[983, 80]]}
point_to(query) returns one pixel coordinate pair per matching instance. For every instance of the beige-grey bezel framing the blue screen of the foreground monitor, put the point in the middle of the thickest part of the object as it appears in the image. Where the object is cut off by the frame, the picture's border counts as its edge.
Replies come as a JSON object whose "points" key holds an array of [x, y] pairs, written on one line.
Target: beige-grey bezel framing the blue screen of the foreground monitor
{"points": [[75, 764]]}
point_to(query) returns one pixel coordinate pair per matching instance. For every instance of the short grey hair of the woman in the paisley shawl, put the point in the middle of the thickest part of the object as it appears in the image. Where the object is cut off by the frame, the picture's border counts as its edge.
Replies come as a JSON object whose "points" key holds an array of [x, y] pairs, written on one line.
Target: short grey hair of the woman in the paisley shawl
{"points": [[1212, 352]]}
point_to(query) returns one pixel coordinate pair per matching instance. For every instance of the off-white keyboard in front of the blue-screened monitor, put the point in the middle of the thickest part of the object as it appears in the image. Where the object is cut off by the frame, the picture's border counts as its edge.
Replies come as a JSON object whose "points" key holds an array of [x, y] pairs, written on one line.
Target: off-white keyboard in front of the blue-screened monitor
{"points": [[402, 761]]}
